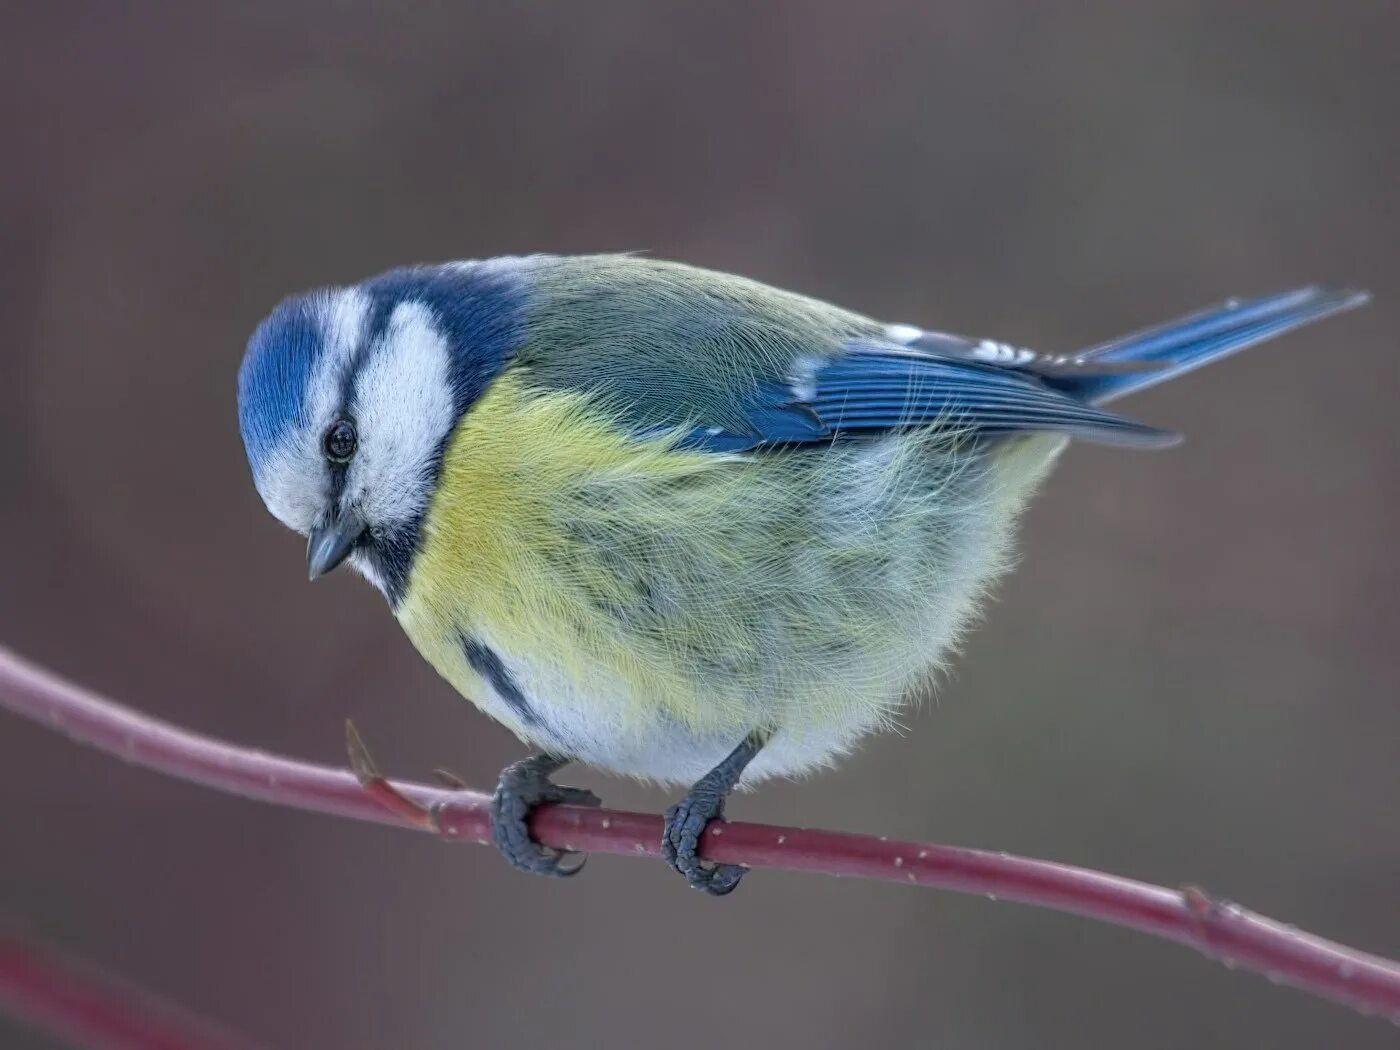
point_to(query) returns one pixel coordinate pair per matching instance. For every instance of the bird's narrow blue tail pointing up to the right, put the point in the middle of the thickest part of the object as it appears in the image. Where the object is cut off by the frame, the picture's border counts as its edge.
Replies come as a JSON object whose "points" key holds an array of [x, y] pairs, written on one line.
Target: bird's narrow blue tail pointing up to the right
{"points": [[1189, 342]]}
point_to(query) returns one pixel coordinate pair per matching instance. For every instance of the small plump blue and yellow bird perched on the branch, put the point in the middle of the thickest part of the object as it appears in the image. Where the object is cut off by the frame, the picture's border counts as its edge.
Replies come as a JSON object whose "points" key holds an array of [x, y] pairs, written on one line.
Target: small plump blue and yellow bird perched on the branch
{"points": [[671, 523]]}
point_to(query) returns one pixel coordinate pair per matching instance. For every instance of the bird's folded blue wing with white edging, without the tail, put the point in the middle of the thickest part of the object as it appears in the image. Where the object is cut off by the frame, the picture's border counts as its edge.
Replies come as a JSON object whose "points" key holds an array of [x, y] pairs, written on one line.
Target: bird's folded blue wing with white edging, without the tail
{"points": [[876, 388]]}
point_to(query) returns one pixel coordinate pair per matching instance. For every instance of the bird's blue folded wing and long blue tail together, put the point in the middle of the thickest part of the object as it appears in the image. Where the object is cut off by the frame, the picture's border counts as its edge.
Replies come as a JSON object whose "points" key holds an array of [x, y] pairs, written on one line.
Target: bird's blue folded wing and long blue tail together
{"points": [[916, 379]]}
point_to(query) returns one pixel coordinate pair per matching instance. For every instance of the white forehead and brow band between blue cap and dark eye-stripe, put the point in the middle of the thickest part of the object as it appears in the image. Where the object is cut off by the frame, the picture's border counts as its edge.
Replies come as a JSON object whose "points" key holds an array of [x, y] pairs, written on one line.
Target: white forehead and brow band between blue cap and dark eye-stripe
{"points": [[295, 482]]}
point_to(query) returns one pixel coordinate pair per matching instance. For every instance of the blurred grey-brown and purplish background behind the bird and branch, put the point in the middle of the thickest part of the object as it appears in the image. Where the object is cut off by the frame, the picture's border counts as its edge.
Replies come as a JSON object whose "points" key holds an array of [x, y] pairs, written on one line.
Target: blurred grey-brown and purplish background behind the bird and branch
{"points": [[1192, 678]]}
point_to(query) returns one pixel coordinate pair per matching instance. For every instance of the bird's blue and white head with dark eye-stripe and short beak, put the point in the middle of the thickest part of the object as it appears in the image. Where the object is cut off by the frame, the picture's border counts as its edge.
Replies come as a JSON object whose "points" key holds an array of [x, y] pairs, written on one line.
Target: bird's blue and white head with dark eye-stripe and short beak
{"points": [[346, 398]]}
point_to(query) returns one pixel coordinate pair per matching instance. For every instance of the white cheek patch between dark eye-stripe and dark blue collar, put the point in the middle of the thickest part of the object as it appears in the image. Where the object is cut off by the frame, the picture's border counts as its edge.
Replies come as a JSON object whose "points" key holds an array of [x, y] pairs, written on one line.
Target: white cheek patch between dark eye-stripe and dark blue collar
{"points": [[404, 409]]}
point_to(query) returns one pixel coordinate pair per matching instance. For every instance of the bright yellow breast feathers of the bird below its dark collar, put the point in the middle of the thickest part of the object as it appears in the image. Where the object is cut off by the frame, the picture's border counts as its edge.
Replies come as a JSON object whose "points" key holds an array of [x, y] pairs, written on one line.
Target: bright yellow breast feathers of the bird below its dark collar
{"points": [[499, 558]]}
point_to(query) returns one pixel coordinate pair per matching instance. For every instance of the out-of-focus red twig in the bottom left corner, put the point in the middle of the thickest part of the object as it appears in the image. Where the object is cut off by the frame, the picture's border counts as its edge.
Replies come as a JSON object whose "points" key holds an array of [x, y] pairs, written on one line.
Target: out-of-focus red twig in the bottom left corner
{"points": [[76, 1003]]}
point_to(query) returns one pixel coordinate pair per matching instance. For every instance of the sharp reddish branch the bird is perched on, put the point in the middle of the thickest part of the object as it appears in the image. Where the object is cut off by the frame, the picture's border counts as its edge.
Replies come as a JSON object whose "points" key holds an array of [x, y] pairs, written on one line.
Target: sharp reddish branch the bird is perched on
{"points": [[1214, 927]]}
